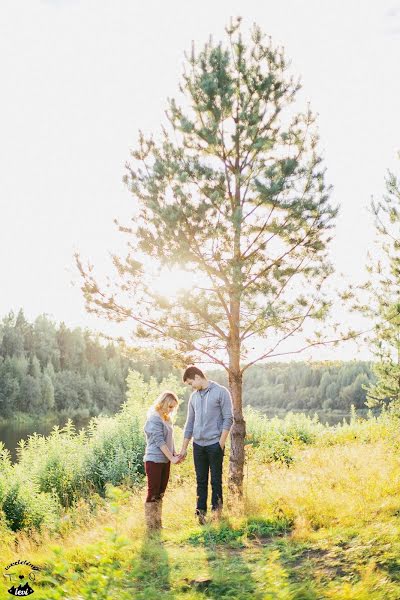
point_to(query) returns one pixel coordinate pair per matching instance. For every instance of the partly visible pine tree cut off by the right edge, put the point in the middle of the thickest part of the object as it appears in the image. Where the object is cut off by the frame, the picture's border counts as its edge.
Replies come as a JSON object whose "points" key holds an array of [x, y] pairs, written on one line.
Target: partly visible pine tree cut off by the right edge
{"points": [[383, 293]]}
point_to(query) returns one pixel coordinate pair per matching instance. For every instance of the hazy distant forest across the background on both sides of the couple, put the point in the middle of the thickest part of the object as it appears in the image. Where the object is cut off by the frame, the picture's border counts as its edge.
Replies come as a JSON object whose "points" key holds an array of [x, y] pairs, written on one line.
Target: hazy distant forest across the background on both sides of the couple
{"points": [[47, 368]]}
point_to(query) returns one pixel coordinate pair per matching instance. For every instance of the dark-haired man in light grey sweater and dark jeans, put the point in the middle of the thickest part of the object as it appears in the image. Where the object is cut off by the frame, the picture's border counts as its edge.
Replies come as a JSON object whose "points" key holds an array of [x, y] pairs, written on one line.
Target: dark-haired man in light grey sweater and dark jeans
{"points": [[209, 420]]}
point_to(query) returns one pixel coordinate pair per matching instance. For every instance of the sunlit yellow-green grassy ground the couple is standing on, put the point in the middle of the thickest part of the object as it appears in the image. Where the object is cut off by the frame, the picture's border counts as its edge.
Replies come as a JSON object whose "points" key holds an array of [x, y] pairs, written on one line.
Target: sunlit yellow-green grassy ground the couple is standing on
{"points": [[320, 519]]}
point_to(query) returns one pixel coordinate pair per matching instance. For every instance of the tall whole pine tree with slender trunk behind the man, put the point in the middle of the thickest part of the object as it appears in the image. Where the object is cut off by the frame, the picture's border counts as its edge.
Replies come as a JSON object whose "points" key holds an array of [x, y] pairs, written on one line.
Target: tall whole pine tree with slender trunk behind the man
{"points": [[234, 189]]}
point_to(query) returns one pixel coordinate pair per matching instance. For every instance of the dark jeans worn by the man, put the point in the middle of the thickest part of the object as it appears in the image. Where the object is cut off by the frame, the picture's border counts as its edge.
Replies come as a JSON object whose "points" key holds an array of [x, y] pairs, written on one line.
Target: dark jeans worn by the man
{"points": [[208, 458]]}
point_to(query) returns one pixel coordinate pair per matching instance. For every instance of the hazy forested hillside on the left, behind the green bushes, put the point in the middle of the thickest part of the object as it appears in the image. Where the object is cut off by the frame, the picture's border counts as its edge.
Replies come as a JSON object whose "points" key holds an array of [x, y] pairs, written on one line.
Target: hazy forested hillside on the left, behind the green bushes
{"points": [[46, 368]]}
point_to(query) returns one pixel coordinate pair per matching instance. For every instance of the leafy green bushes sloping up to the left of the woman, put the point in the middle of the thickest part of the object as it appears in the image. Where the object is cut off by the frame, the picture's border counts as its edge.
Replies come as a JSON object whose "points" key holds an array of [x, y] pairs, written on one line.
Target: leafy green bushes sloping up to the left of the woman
{"points": [[56, 471]]}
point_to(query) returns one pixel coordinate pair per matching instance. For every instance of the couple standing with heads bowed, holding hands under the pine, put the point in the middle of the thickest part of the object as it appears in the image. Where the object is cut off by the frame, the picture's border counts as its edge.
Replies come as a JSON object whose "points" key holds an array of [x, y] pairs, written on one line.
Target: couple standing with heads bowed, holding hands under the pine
{"points": [[209, 419]]}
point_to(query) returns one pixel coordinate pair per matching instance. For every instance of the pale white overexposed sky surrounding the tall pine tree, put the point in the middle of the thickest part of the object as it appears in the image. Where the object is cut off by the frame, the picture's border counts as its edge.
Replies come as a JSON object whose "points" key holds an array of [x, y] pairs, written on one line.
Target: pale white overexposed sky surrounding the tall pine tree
{"points": [[80, 78]]}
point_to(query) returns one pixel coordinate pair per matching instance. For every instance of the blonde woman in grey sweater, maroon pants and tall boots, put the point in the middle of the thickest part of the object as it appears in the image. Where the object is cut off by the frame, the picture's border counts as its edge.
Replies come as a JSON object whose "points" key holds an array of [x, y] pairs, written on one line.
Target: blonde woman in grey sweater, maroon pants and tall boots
{"points": [[159, 453]]}
